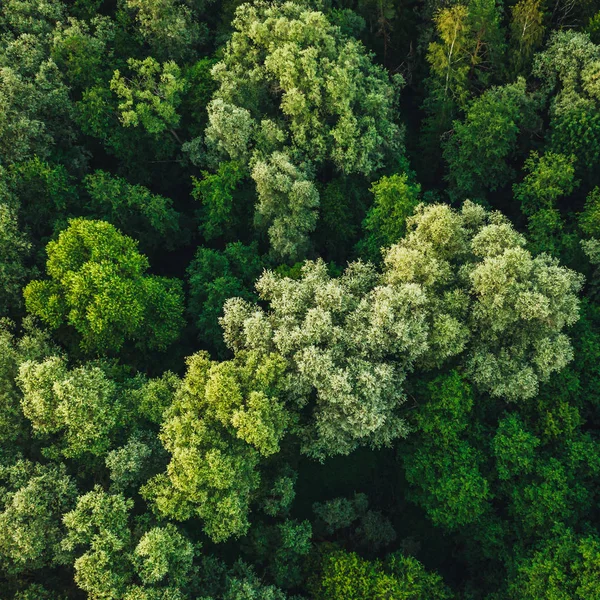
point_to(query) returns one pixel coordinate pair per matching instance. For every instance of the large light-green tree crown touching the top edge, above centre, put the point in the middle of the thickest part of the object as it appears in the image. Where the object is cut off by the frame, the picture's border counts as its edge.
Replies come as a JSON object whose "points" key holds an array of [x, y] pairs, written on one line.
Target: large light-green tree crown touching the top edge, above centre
{"points": [[320, 75]]}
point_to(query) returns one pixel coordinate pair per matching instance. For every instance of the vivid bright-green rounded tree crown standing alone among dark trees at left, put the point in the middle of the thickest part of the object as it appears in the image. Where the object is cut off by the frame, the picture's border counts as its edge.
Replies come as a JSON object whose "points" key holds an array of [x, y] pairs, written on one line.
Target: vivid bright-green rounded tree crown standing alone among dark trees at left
{"points": [[98, 287]]}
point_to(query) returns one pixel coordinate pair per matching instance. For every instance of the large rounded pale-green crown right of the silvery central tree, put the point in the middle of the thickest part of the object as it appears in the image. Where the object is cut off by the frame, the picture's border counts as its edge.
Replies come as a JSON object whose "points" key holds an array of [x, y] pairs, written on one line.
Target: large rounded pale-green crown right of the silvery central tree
{"points": [[515, 305]]}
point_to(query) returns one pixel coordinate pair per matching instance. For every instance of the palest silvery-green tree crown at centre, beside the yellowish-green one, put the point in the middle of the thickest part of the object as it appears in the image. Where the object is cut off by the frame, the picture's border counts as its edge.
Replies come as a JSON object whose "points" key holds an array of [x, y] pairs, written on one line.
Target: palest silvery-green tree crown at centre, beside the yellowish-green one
{"points": [[345, 340]]}
